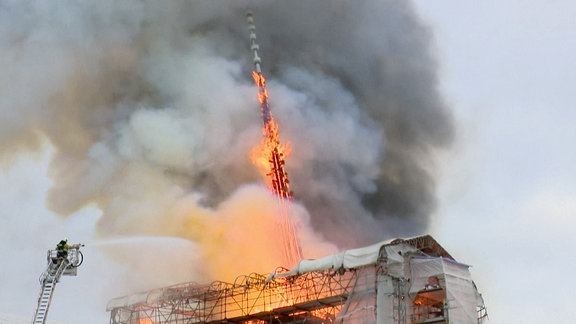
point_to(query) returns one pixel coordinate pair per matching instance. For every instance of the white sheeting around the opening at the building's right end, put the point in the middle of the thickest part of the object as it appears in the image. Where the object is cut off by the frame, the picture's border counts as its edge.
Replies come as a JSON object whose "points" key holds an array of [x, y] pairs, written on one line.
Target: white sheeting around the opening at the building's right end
{"points": [[431, 275]]}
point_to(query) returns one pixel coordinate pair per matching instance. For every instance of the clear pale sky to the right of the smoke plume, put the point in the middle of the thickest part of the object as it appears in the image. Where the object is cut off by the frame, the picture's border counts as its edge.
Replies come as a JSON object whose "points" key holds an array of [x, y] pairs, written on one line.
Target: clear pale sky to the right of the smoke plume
{"points": [[508, 189]]}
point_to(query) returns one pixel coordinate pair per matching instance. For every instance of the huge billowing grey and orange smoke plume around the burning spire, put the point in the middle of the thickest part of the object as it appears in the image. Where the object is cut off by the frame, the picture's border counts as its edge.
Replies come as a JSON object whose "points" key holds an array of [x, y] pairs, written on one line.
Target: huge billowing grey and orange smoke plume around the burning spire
{"points": [[152, 113]]}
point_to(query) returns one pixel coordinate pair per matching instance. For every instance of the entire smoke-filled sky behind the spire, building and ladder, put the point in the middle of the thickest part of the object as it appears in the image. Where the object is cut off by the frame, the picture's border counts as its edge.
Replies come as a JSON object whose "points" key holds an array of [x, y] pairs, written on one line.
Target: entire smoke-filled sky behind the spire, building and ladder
{"points": [[127, 126]]}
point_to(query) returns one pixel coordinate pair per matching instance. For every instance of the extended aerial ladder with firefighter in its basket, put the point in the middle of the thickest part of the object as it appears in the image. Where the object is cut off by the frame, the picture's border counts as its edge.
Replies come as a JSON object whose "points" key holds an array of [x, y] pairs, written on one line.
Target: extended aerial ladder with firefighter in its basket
{"points": [[60, 262]]}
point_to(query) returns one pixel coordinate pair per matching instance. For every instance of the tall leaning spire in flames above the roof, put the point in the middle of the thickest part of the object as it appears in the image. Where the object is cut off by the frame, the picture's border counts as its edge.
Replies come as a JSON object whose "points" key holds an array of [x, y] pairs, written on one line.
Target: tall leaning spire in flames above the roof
{"points": [[269, 155]]}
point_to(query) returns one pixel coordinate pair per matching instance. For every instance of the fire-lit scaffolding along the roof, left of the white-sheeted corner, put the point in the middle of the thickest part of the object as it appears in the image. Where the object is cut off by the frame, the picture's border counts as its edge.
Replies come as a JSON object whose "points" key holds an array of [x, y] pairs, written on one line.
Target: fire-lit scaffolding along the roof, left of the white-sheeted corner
{"points": [[250, 298]]}
